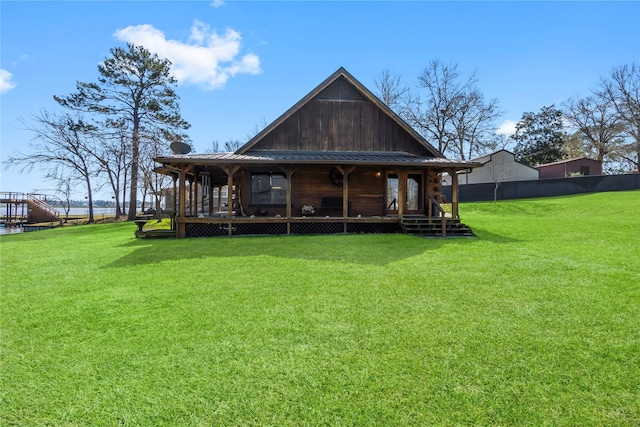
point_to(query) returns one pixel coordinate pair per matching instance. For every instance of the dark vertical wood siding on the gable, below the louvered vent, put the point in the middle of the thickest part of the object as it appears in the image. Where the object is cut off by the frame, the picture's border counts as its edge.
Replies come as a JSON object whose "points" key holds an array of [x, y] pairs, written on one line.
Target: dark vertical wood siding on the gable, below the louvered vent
{"points": [[329, 125]]}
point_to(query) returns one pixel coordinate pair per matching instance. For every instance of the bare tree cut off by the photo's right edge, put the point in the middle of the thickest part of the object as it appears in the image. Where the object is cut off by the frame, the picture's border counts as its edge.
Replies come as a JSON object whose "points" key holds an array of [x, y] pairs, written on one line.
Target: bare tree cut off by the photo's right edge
{"points": [[622, 88]]}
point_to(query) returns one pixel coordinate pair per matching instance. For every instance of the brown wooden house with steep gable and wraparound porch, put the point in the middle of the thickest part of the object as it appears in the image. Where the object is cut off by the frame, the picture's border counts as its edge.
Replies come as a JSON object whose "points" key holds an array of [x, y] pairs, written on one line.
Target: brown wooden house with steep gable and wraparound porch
{"points": [[338, 161]]}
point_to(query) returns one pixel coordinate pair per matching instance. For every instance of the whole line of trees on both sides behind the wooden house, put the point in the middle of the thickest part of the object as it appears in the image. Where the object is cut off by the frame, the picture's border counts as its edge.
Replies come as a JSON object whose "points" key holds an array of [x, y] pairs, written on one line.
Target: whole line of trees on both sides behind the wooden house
{"points": [[108, 131]]}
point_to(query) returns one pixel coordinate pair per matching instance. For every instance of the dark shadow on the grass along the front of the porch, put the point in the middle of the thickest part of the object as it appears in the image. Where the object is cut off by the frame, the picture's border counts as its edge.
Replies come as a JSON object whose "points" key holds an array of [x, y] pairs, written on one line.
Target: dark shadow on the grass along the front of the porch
{"points": [[366, 249]]}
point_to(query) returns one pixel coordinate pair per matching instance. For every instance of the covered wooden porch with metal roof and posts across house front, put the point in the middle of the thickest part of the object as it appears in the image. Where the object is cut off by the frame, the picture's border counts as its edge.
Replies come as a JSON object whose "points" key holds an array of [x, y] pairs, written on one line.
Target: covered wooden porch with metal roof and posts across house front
{"points": [[231, 194]]}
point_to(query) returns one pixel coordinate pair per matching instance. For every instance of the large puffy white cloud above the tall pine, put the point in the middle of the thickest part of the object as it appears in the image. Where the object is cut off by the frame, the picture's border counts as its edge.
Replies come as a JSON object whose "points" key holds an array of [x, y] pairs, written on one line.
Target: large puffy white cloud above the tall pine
{"points": [[208, 59]]}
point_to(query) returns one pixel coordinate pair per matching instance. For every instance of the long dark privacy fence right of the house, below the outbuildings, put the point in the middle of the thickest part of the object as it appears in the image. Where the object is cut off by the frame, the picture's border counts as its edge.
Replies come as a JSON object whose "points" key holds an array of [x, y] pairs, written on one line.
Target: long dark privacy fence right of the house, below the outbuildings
{"points": [[546, 187]]}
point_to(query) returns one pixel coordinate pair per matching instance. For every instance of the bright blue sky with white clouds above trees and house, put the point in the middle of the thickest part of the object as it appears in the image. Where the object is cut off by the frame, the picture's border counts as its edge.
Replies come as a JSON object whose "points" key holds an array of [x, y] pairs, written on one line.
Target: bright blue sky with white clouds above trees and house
{"points": [[241, 64]]}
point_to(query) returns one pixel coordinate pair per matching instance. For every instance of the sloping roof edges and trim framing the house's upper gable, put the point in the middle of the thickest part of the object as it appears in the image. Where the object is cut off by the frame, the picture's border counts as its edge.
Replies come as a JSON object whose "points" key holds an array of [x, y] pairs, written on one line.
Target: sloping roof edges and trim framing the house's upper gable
{"points": [[331, 84]]}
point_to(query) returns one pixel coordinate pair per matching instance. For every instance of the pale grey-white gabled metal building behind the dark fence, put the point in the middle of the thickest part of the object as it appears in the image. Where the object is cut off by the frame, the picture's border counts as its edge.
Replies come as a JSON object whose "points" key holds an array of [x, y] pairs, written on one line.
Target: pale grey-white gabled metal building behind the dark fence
{"points": [[500, 166]]}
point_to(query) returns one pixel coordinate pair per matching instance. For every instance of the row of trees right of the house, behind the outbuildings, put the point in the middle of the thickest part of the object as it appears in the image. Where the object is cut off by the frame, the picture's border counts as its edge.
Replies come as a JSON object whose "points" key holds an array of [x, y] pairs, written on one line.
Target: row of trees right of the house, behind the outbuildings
{"points": [[450, 111]]}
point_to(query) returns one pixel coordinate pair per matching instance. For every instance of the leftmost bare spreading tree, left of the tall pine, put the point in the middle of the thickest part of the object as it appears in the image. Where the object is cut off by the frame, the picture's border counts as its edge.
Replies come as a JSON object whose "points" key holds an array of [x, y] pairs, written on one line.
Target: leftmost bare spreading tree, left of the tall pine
{"points": [[60, 146]]}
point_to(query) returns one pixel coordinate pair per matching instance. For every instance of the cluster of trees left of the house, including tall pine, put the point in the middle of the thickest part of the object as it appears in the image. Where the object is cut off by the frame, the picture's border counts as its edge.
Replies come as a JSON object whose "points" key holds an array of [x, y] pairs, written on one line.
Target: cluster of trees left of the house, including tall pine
{"points": [[109, 132]]}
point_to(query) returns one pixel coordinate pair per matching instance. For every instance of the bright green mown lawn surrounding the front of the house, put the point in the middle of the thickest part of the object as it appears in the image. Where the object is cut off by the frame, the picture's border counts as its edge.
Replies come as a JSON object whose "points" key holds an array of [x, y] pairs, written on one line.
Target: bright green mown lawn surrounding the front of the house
{"points": [[534, 323]]}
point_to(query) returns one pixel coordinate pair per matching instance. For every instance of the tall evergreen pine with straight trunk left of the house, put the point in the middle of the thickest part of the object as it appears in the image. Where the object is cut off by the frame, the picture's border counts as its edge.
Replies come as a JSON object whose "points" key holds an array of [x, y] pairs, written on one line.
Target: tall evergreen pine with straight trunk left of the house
{"points": [[135, 95]]}
